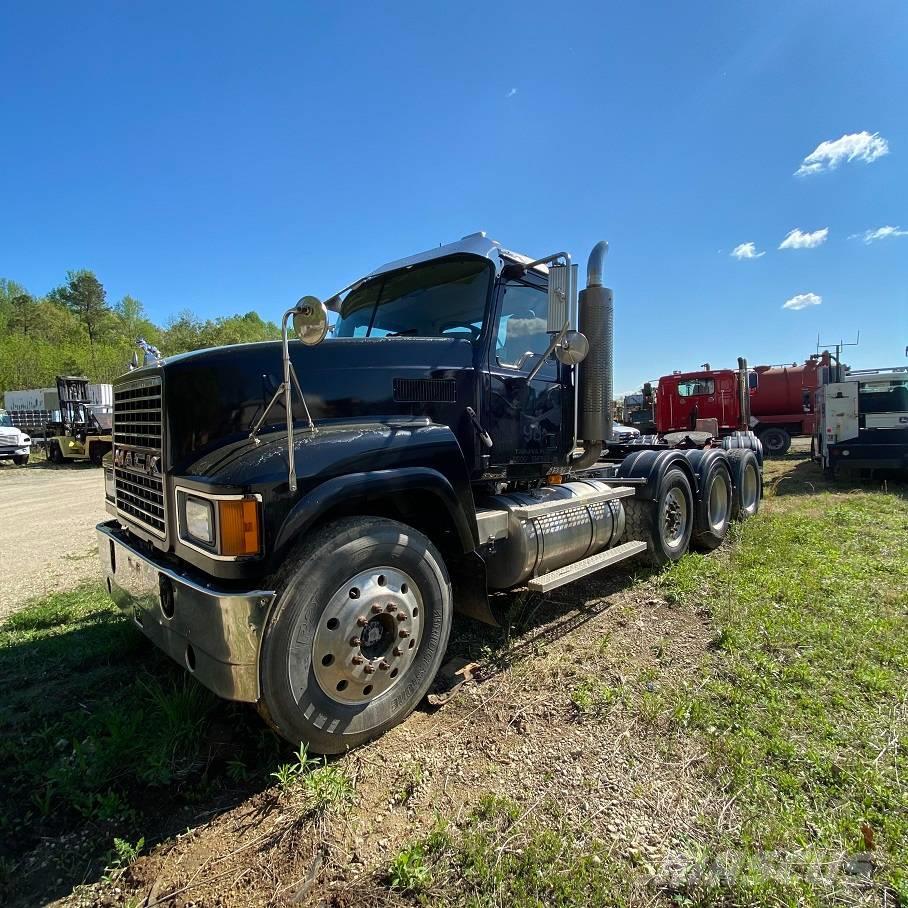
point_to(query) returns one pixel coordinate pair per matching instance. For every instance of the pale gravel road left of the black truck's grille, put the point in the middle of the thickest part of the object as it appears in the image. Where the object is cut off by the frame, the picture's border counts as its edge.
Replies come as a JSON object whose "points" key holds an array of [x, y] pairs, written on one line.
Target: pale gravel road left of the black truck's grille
{"points": [[47, 529]]}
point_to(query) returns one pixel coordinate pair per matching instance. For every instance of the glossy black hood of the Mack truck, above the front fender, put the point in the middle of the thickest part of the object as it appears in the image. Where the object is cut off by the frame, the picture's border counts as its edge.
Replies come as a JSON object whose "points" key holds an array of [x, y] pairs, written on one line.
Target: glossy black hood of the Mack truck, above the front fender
{"points": [[212, 398]]}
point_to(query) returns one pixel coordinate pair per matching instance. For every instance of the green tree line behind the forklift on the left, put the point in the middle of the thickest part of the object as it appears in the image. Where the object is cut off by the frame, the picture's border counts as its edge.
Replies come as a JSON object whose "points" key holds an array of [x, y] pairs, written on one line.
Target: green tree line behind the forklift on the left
{"points": [[74, 330]]}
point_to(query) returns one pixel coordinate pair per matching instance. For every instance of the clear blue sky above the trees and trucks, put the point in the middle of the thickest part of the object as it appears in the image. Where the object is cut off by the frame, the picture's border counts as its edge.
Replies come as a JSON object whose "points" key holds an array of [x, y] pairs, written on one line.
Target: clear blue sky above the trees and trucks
{"points": [[226, 157]]}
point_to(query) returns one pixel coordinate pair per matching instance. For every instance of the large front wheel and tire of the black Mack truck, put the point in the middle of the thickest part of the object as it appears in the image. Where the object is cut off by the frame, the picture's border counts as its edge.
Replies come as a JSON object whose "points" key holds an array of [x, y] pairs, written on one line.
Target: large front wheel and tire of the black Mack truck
{"points": [[358, 633]]}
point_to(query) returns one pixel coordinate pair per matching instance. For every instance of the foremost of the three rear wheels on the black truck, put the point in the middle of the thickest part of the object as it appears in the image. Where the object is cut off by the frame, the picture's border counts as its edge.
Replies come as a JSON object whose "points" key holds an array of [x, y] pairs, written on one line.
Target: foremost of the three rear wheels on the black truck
{"points": [[665, 524]]}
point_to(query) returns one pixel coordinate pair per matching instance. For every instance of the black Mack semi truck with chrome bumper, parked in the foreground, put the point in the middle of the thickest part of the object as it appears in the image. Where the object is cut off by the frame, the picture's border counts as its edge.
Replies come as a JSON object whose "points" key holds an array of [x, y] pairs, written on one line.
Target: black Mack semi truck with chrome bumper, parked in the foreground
{"points": [[295, 522]]}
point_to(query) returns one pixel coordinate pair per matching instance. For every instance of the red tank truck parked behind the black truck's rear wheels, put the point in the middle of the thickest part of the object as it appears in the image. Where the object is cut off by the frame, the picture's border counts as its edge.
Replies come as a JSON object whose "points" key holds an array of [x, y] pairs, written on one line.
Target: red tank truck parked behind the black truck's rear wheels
{"points": [[774, 402]]}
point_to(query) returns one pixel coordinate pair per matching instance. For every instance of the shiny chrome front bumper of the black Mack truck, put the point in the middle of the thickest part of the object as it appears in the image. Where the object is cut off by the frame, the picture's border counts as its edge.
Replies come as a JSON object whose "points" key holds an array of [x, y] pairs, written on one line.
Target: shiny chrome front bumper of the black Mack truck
{"points": [[216, 635]]}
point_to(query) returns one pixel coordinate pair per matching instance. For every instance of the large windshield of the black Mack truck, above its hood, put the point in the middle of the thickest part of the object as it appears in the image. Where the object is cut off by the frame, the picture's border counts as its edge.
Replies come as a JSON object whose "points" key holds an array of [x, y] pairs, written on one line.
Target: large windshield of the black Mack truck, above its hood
{"points": [[443, 298]]}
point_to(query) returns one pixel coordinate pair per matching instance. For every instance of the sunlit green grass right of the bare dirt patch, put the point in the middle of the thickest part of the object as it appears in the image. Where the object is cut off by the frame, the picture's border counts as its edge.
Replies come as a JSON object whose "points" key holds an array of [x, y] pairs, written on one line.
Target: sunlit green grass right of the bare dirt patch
{"points": [[804, 702]]}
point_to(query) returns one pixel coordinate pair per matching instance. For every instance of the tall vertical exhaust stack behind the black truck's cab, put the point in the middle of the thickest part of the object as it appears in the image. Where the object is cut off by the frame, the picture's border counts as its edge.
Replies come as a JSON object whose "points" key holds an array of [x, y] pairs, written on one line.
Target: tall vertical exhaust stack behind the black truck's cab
{"points": [[595, 390]]}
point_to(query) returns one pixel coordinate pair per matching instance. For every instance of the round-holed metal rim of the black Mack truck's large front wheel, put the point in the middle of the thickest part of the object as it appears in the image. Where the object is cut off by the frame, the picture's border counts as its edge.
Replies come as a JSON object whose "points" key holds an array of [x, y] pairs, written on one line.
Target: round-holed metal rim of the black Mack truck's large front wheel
{"points": [[368, 635]]}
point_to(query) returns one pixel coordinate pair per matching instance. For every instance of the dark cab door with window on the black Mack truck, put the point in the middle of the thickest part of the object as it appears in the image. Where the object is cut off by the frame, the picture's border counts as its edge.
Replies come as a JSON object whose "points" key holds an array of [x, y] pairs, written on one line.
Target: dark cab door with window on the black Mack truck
{"points": [[528, 420]]}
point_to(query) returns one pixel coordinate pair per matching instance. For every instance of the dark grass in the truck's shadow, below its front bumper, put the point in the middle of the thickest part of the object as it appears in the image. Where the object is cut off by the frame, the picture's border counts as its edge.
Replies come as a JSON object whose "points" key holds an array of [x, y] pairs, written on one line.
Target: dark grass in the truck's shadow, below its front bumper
{"points": [[98, 729]]}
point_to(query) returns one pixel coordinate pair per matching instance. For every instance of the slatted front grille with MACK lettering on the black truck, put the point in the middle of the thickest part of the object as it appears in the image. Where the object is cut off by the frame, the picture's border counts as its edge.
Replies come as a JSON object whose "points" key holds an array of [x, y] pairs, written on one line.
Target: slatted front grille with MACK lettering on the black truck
{"points": [[138, 447]]}
